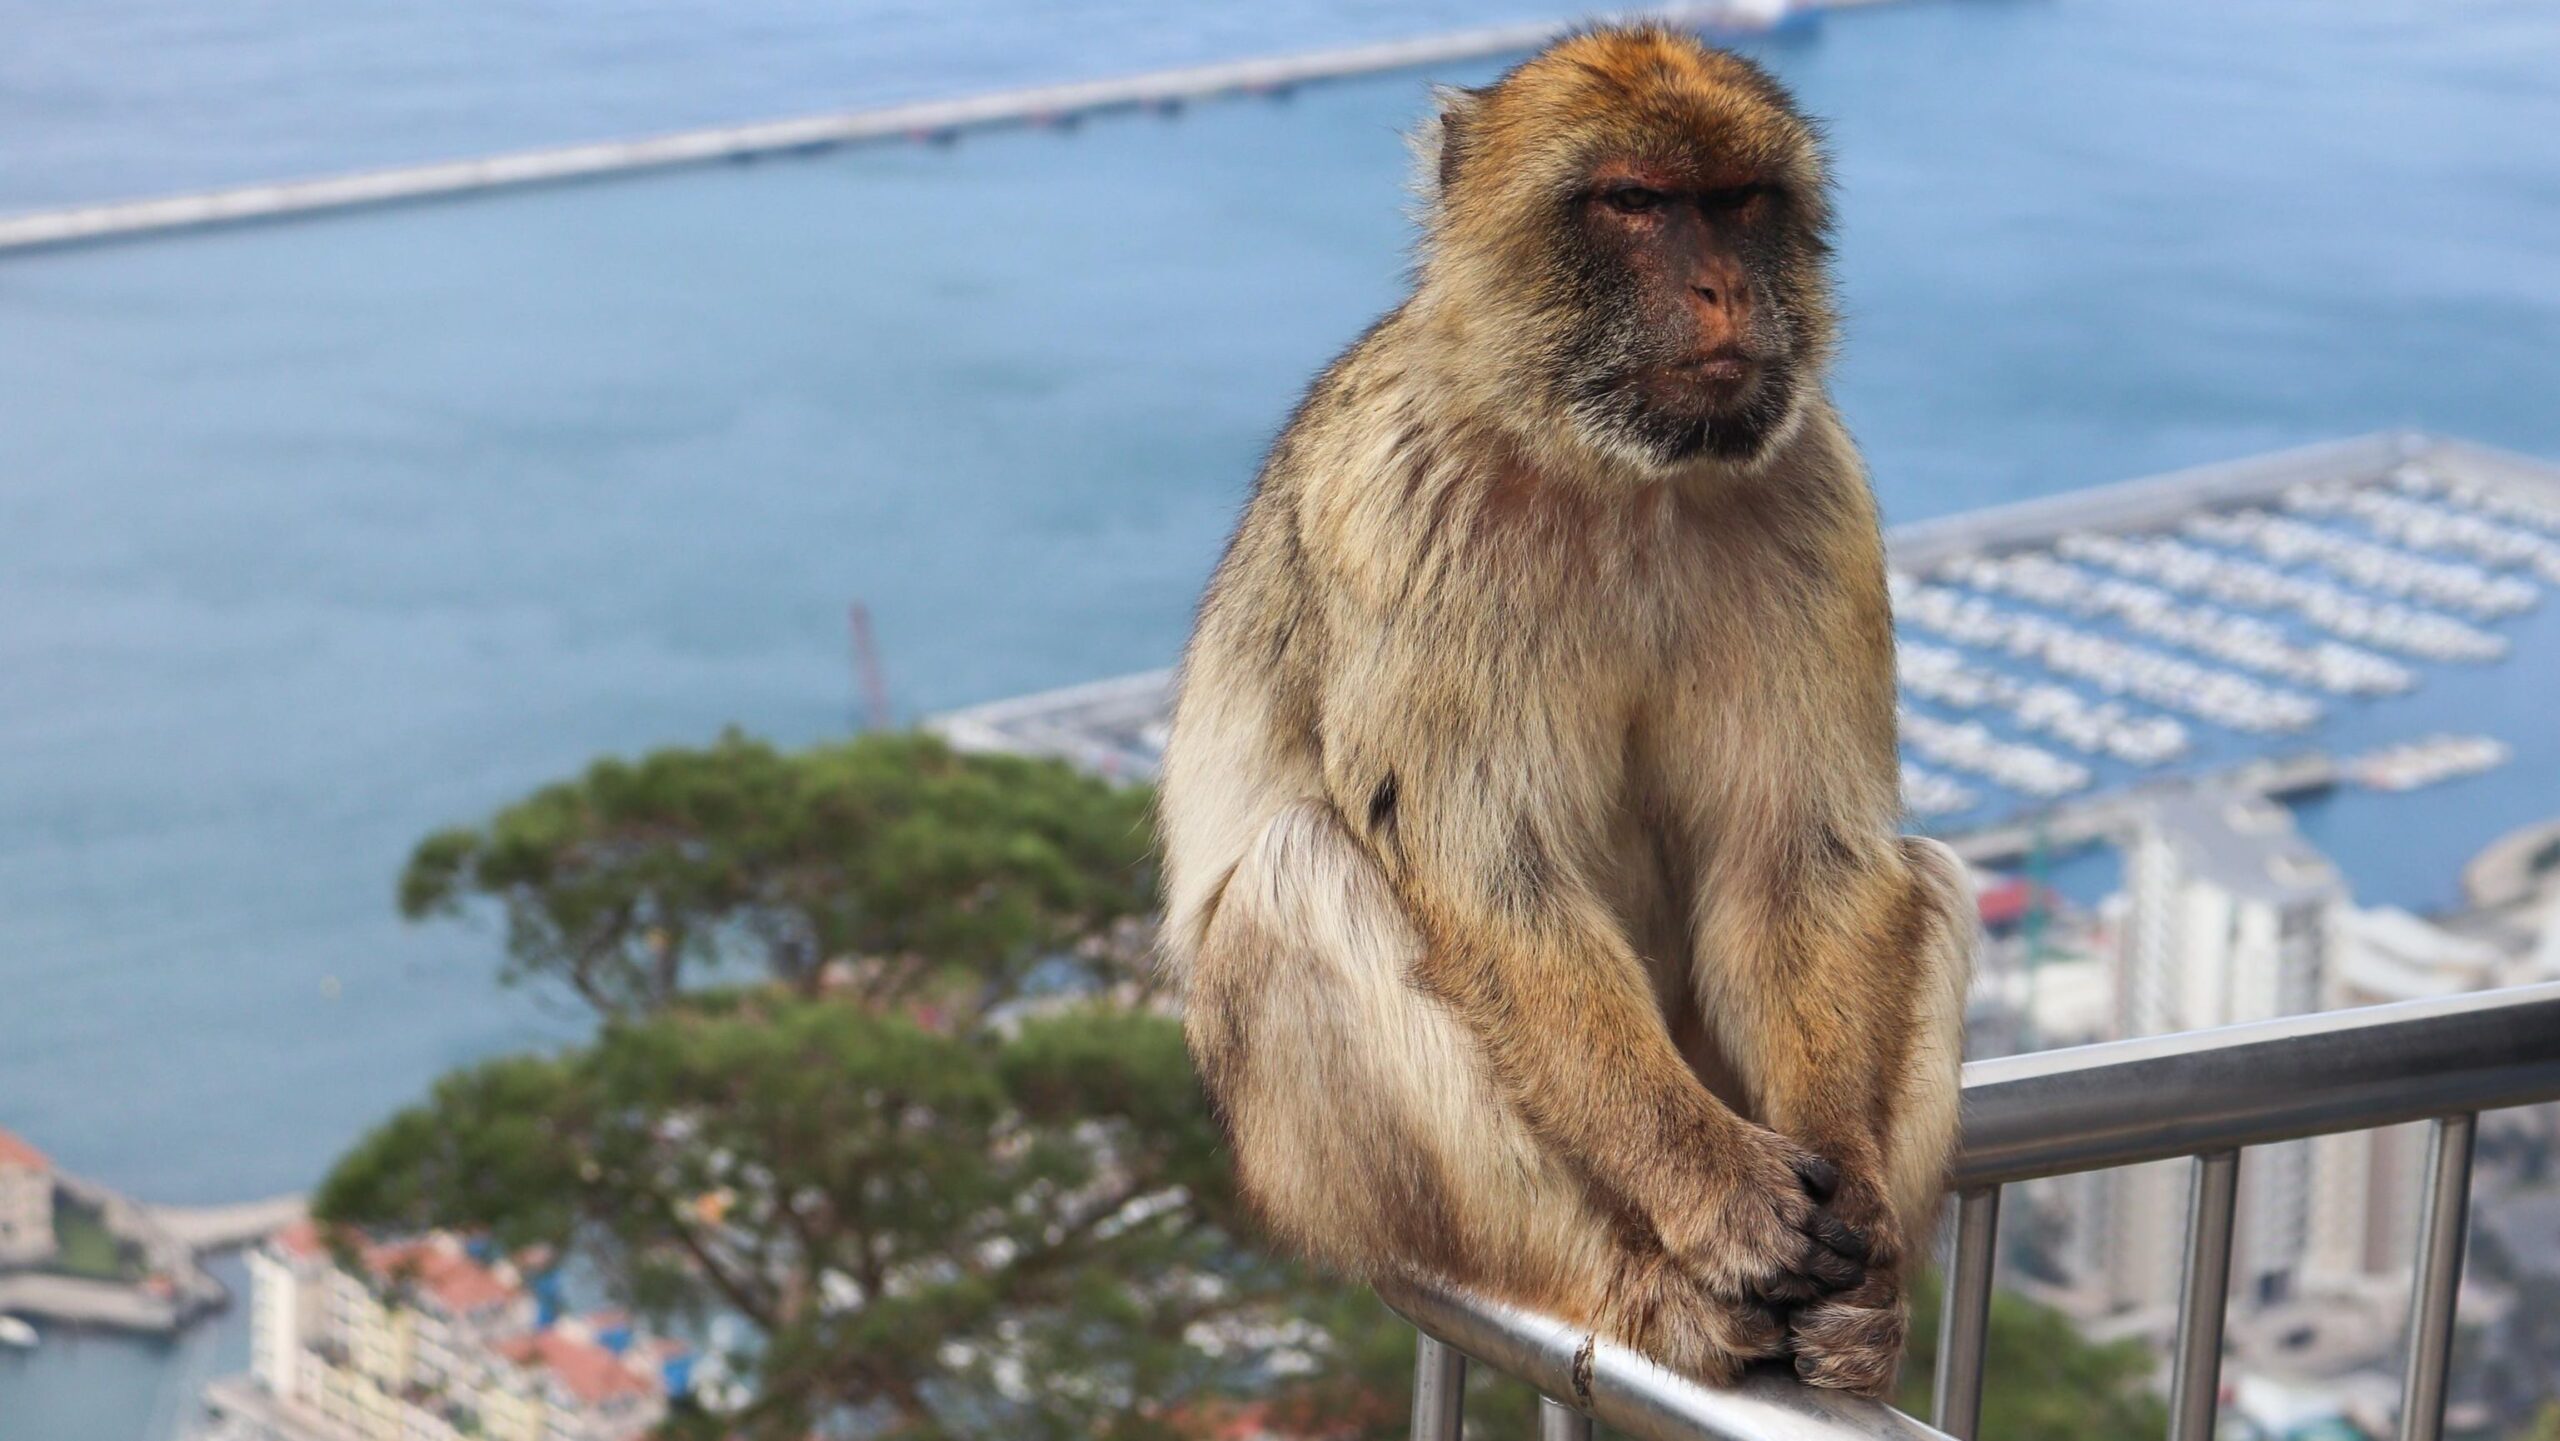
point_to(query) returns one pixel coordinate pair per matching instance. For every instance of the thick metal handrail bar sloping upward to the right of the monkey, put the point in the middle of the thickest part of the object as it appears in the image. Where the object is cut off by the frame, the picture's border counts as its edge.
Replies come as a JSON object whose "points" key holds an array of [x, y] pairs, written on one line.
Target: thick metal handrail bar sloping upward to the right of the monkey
{"points": [[2267, 1081]]}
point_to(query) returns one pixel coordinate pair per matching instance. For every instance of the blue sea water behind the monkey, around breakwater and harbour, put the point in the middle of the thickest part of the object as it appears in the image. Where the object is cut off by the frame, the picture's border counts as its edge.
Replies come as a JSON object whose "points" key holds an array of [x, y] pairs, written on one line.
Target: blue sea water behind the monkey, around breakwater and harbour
{"points": [[329, 534]]}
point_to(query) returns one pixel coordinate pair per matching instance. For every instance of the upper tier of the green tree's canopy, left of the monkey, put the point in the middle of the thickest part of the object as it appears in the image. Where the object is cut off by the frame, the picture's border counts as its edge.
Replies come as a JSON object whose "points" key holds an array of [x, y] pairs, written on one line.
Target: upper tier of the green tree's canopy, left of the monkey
{"points": [[915, 872]]}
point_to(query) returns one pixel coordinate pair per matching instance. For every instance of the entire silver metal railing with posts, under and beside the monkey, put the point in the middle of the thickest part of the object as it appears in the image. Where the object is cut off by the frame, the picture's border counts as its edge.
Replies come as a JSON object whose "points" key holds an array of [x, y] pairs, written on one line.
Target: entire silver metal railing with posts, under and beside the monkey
{"points": [[2203, 1097]]}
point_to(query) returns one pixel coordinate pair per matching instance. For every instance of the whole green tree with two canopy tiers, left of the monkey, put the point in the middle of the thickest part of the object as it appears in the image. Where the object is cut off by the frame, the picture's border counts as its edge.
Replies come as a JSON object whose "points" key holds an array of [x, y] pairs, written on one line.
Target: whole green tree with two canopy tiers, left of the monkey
{"points": [[882, 1079]]}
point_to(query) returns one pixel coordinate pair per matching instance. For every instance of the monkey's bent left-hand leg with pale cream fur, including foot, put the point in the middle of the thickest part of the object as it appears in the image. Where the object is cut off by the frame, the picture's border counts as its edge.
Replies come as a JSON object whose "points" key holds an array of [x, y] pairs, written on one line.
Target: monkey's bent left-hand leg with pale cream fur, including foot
{"points": [[1371, 1133]]}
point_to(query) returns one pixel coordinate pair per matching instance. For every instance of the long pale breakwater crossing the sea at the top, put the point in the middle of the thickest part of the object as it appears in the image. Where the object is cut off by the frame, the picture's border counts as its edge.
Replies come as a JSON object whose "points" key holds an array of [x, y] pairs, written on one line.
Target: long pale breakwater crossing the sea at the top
{"points": [[810, 134]]}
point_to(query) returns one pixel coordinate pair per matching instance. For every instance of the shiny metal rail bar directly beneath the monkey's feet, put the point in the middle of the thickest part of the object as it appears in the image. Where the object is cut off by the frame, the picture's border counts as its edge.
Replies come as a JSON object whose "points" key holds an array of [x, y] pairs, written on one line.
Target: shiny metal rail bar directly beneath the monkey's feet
{"points": [[1632, 1394]]}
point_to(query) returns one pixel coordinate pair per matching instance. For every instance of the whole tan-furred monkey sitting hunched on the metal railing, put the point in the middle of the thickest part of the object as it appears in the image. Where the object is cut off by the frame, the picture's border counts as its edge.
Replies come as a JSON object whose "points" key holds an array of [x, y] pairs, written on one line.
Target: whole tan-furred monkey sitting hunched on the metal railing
{"points": [[1530, 813]]}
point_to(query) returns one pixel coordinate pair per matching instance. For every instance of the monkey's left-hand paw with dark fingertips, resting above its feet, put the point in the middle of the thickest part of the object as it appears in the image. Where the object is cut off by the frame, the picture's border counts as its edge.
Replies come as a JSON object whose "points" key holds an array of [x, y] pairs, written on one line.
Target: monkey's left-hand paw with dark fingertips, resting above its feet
{"points": [[1765, 1235]]}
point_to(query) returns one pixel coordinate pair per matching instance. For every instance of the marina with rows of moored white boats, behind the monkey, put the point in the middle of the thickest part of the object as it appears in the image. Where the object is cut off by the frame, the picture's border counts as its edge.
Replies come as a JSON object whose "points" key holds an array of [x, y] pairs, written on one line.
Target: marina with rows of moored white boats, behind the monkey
{"points": [[2072, 654]]}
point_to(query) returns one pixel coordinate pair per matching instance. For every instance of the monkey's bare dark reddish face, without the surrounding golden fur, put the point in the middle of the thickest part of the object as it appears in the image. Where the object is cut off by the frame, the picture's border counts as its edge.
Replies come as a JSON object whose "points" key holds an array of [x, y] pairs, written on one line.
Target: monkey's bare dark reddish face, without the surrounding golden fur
{"points": [[1691, 324]]}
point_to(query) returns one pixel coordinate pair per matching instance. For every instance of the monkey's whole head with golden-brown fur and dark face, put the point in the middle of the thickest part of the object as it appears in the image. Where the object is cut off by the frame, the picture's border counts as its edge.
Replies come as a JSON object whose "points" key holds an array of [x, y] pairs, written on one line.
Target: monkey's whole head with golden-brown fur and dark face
{"points": [[1640, 229]]}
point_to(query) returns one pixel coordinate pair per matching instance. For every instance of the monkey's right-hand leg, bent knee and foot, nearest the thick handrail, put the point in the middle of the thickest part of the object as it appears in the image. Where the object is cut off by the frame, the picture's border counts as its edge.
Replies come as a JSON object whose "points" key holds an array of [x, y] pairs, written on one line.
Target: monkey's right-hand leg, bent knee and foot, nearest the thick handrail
{"points": [[1842, 999]]}
